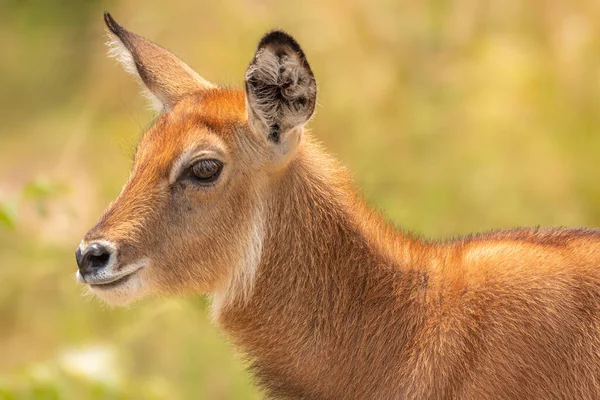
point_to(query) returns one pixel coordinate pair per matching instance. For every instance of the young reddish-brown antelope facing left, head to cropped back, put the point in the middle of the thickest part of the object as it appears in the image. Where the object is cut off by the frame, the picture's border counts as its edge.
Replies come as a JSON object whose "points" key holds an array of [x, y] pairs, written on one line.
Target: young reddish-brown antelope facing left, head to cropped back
{"points": [[230, 196]]}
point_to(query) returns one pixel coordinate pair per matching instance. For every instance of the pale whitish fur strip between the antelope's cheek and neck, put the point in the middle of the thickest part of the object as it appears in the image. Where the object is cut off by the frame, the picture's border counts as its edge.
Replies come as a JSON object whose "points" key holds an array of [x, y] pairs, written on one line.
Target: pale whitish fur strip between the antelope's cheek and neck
{"points": [[239, 288]]}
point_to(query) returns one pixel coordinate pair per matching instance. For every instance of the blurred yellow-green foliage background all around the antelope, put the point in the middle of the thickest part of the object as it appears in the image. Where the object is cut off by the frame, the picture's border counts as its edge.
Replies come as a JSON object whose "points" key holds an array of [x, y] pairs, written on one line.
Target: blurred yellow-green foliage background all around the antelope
{"points": [[454, 116]]}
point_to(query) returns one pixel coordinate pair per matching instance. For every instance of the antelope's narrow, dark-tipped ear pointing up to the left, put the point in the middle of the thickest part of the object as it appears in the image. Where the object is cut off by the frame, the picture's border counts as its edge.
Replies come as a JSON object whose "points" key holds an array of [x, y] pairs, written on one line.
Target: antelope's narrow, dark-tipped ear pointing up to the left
{"points": [[166, 78]]}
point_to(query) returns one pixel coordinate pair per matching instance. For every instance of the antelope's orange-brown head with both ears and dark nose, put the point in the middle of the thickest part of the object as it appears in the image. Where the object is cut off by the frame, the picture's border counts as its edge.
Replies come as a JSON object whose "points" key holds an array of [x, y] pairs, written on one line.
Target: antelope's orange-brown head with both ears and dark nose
{"points": [[190, 216]]}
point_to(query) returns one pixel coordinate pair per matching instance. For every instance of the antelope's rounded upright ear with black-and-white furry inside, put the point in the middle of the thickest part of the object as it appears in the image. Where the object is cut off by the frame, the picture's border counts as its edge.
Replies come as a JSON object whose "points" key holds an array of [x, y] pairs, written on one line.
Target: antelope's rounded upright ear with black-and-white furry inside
{"points": [[281, 91]]}
